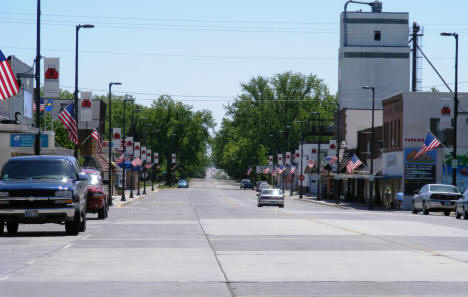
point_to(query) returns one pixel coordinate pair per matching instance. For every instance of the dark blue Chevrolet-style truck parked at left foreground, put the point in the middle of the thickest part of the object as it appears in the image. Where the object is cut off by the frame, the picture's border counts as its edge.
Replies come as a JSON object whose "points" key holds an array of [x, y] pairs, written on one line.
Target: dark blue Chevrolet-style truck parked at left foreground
{"points": [[42, 189]]}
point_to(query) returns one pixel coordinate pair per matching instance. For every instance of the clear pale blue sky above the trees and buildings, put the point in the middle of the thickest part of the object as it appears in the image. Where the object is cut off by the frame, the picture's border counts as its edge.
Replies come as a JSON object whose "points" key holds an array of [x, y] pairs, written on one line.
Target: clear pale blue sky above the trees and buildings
{"points": [[200, 51]]}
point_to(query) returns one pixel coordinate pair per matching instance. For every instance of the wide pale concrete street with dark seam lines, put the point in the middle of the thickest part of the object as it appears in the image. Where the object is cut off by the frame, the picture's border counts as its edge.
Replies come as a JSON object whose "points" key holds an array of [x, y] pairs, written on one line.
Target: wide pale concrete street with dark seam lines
{"points": [[212, 240]]}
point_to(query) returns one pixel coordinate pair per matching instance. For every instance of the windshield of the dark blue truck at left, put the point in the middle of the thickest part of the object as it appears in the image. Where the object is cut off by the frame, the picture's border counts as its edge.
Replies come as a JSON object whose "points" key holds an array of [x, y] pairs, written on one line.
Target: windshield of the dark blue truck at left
{"points": [[37, 169]]}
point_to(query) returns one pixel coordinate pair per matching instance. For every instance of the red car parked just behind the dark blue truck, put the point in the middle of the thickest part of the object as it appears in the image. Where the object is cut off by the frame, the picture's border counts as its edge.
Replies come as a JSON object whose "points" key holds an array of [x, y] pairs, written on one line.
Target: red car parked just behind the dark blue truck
{"points": [[97, 200]]}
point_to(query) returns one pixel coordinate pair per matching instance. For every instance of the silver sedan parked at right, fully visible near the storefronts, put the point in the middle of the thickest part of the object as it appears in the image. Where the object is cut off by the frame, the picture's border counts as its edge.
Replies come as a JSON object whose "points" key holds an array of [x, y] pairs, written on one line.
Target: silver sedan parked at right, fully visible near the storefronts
{"points": [[435, 197]]}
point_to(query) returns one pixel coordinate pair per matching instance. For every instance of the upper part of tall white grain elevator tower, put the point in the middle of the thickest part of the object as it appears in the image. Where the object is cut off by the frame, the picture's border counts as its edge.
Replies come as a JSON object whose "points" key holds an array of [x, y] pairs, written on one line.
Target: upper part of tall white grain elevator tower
{"points": [[374, 52]]}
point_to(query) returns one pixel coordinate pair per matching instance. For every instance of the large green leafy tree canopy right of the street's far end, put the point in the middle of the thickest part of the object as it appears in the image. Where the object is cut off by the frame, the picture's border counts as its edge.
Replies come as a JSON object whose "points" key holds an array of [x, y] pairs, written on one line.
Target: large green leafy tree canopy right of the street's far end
{"points": [[264, 119]]}
